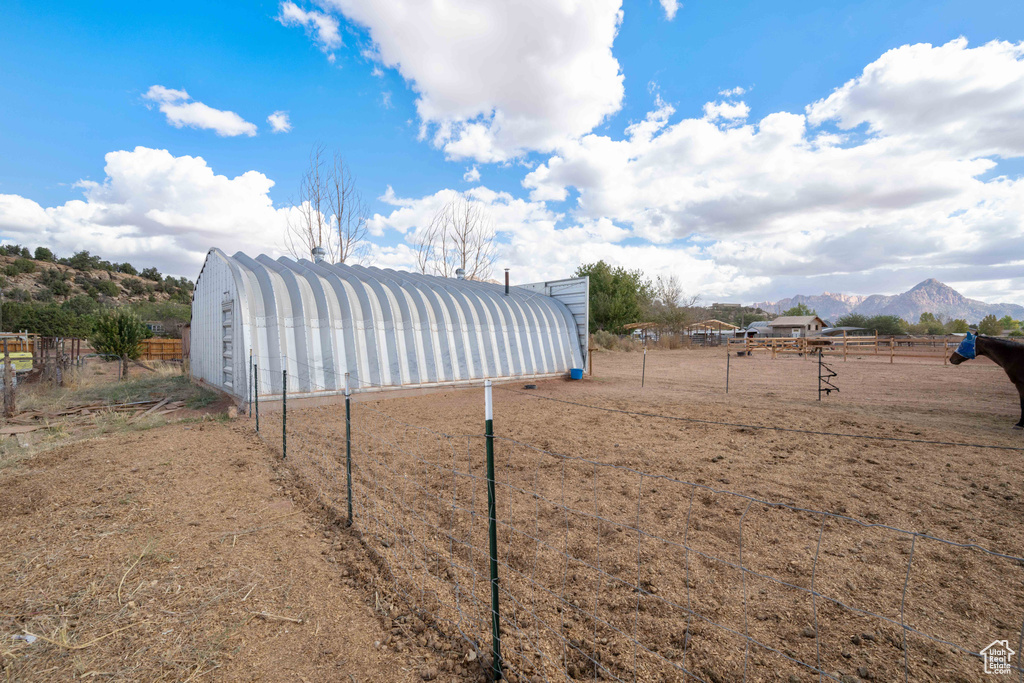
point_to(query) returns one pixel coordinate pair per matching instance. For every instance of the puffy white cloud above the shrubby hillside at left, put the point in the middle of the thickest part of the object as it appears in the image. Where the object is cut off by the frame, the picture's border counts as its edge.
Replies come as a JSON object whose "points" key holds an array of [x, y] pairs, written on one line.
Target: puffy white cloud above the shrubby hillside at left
{"points": [[154, 209]]}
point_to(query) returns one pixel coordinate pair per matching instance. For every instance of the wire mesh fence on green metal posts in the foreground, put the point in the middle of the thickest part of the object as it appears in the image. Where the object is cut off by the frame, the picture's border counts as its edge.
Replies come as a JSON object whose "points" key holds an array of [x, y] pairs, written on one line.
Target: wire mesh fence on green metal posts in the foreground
{"points": [[550, 568]]}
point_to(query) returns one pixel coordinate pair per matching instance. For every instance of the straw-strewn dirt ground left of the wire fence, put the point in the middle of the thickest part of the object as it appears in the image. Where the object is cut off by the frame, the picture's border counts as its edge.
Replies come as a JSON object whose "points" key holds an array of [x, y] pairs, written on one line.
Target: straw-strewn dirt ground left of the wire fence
{"points": [[180, 553]]}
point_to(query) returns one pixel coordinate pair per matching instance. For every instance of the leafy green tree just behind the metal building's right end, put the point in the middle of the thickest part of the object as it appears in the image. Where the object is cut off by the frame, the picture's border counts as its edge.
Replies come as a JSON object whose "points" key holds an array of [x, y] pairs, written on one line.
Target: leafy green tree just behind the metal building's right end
{"points": [[618, 296]]}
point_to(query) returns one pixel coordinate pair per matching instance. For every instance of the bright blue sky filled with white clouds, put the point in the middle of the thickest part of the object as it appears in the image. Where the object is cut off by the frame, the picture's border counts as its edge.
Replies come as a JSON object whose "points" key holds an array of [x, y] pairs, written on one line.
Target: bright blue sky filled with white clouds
{"points": [[744, 200]]}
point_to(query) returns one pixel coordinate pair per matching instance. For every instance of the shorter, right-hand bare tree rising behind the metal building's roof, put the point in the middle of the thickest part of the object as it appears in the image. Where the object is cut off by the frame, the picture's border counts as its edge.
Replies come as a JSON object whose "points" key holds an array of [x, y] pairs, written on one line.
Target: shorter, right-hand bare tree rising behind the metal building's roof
{"points": [[461, 235]]}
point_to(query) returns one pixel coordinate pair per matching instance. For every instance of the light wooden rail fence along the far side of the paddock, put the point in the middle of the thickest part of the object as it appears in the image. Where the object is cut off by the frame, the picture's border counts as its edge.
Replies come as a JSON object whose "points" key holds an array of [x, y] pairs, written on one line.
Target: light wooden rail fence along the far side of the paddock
{"points": [[938, 349]]}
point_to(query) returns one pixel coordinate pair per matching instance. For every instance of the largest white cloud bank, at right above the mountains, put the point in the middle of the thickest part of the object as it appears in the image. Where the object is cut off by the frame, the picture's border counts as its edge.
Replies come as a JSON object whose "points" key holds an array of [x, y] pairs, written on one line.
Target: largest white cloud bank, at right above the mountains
{"points": [[782, 198]]}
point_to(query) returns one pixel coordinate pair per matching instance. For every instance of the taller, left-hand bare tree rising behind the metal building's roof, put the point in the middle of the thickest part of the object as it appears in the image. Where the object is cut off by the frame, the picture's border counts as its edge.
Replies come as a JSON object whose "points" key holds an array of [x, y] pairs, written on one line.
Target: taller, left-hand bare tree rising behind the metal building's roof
{"points": [[331, 211]]}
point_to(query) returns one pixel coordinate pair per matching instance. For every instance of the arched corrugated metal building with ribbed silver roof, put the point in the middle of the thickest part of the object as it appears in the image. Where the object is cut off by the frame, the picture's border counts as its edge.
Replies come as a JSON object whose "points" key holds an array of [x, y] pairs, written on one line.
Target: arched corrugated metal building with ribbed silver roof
{"points": [[388, 329]]}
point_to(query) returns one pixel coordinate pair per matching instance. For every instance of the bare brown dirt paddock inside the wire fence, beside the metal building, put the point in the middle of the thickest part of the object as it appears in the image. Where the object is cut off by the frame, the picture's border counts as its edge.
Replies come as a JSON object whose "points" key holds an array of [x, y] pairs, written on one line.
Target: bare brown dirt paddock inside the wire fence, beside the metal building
{"points": [[685, 550]]}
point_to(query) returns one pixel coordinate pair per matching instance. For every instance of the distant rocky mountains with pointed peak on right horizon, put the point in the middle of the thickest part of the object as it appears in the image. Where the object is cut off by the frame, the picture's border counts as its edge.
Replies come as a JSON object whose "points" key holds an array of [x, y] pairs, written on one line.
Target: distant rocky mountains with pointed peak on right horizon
{"points": [[930, 296]]}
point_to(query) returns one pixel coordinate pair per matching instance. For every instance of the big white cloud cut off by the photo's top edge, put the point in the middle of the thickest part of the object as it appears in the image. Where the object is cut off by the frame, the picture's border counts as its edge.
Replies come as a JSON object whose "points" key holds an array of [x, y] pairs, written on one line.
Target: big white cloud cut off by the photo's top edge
{"points": [[494, 84]]}
